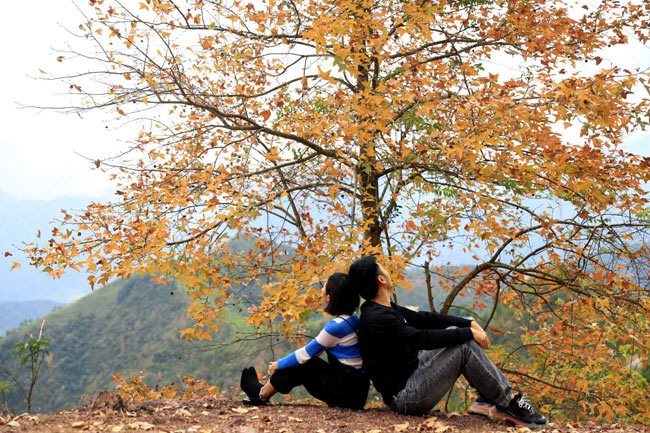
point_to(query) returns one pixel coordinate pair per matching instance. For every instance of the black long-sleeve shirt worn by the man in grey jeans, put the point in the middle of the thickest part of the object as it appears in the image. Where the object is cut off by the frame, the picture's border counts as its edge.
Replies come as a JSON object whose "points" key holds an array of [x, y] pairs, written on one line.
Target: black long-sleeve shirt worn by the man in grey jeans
{"points": [[391, 337]]}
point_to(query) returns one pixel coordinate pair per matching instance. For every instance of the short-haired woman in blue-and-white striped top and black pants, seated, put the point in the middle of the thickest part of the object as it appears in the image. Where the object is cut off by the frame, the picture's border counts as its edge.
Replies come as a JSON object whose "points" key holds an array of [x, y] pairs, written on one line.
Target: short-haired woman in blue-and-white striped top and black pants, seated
{"points": [[341, 382]]}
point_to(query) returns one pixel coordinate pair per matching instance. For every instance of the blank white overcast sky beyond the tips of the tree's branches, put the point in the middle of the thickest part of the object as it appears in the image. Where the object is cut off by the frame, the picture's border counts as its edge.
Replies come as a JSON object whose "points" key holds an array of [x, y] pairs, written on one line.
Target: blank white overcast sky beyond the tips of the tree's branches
{"points": [[37, 148]]}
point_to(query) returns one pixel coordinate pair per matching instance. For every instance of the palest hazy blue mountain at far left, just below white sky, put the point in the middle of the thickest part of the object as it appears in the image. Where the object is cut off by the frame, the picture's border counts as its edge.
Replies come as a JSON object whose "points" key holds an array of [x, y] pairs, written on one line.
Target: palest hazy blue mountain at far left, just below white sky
{"points": [[19, 222]]}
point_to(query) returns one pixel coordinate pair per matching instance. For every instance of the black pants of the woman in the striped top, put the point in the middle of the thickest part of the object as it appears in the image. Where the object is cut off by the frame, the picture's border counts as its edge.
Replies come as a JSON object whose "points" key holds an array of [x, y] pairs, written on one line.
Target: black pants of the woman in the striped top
{"points": [[336, 384]]}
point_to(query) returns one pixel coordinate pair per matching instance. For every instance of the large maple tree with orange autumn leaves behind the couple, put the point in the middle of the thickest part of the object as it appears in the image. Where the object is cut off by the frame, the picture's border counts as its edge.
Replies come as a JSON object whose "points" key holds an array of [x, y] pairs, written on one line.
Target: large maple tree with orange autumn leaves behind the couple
{"points": [[319, 131]]}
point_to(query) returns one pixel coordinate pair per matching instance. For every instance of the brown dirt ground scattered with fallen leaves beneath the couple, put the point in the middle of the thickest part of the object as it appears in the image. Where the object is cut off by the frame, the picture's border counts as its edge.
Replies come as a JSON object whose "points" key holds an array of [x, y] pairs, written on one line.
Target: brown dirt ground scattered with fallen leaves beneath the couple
{"points": [[107, 413]]}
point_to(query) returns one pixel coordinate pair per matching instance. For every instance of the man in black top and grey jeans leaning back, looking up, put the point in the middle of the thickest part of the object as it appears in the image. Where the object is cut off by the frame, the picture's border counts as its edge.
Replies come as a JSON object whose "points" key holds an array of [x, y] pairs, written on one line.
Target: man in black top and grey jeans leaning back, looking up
{"points": [[391, 337]]}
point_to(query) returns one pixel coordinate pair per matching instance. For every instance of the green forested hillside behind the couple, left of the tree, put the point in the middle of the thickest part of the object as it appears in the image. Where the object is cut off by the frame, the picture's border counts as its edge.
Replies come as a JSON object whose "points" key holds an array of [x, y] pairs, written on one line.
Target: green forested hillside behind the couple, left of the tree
{"points": [[130, 326]]}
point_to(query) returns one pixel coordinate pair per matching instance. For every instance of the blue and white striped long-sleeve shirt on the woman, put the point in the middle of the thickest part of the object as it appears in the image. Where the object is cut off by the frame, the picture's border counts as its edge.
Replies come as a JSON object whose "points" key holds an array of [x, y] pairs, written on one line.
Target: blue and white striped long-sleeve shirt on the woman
{"points": [[338, 337]]}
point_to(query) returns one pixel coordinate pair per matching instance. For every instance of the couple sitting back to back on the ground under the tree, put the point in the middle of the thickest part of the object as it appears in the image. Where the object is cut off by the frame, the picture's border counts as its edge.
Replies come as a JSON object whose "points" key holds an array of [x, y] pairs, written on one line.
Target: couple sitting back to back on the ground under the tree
{"points": [[383, 345]]}
